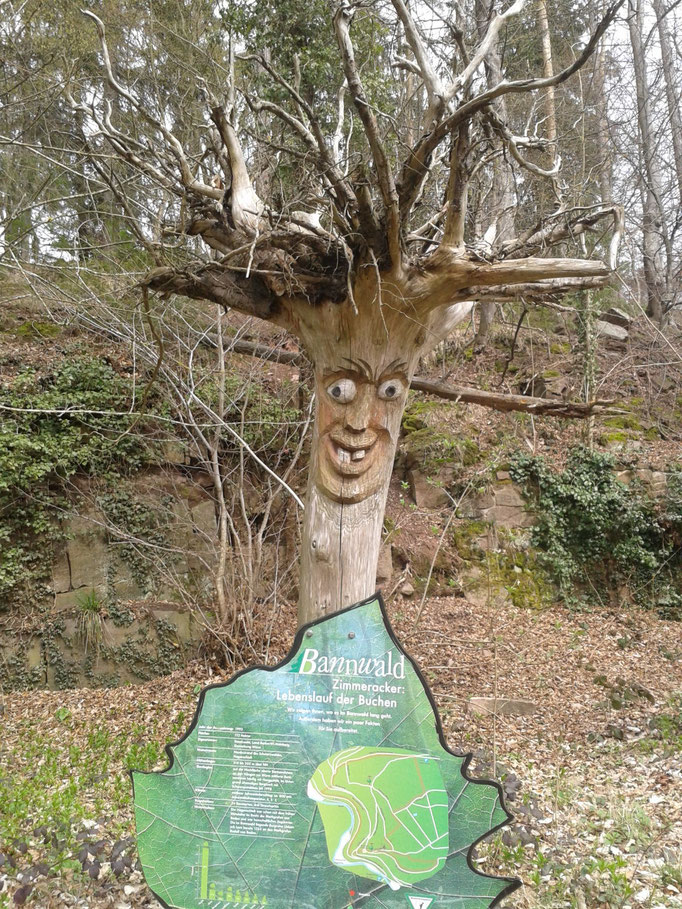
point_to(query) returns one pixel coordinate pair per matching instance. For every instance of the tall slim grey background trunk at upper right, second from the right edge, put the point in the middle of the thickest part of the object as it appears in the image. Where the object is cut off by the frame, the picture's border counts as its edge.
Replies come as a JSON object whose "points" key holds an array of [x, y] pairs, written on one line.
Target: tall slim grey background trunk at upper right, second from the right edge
{"points": [[650, 184]]}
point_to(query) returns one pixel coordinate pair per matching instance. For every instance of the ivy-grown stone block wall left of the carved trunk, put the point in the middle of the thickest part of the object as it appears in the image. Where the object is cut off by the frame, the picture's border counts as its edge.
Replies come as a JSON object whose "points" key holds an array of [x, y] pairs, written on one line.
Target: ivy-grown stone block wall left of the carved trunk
{"points": [[118, 601]]}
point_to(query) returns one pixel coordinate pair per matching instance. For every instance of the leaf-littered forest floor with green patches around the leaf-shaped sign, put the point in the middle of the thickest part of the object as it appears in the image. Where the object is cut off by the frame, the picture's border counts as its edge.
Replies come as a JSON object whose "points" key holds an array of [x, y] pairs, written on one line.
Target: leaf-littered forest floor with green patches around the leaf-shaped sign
{"points": [[593, 776]]}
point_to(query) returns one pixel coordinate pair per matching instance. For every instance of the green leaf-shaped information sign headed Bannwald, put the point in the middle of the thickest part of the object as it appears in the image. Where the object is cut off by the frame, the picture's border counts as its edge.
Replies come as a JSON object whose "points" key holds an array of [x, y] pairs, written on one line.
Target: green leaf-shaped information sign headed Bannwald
{"points": [[324, 783]]}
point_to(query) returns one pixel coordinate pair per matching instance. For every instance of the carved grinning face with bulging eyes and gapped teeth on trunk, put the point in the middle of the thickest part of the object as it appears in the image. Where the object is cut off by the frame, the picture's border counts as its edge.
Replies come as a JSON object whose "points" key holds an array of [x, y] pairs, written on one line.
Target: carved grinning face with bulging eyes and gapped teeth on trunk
{"points": [[358, 418]]}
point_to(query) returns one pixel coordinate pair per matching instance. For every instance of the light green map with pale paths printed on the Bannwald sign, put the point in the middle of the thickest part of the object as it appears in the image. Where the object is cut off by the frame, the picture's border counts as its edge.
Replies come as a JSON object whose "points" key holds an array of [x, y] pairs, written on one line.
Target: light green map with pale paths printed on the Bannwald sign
{"points": [[385, 813]]}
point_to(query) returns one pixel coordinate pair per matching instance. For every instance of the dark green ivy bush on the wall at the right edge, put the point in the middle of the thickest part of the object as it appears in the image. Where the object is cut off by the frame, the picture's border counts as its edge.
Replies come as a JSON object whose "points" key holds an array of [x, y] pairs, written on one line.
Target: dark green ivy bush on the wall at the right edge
{"points": [[595, 535]]}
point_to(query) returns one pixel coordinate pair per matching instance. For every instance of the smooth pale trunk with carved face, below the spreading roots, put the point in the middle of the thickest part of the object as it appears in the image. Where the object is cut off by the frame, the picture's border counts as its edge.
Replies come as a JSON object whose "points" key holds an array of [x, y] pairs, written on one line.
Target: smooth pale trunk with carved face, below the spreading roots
{"points": [[364, 354]]}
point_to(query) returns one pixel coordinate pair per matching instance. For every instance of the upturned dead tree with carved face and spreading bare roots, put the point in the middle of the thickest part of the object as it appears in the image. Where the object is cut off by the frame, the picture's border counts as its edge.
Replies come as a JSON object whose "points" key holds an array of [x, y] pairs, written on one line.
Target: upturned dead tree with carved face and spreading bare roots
{"points": [[371, 252]]}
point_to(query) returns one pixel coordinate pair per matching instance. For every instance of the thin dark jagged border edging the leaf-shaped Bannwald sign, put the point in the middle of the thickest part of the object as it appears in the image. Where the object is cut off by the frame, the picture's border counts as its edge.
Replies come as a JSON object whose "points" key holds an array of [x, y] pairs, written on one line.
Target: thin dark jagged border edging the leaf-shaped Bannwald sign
{"points": [[512, 882]]}
